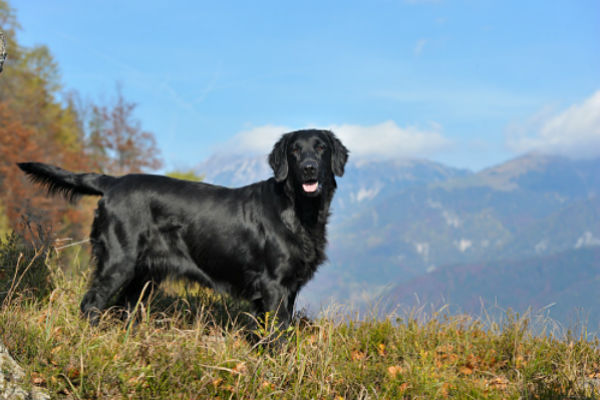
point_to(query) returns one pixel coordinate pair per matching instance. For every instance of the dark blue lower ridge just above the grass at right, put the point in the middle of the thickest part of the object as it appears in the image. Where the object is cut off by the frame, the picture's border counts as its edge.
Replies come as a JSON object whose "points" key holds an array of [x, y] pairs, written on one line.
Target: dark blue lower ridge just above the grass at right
{"points": [[564, 285]]}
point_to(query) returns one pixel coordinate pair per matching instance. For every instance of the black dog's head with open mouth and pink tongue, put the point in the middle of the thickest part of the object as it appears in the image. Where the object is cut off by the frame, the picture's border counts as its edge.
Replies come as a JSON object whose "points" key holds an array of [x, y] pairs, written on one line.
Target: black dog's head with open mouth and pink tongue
{"points": [[310, 157]]}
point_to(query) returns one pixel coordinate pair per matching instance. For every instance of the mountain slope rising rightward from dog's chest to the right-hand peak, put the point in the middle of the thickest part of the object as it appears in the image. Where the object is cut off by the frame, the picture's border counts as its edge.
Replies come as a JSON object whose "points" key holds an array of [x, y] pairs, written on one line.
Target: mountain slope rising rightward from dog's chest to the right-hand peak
{"points": [[533, 205]]}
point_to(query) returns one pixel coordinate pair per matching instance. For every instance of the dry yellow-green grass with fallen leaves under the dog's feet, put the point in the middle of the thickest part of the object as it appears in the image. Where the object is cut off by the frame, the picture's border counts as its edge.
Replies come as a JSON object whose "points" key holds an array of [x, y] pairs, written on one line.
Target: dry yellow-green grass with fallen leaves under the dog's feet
{"points": [[188, 343]]}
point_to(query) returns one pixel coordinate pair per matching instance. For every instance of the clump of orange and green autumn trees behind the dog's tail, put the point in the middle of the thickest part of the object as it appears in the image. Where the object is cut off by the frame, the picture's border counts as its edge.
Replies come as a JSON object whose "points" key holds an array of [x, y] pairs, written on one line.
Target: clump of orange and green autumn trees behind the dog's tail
{"points": [[39, 122]]}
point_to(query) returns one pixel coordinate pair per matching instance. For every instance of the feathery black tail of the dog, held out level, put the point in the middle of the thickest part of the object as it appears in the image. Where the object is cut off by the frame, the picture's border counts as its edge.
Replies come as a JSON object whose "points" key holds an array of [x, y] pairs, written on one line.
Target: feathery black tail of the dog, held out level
{"points": [[68, 184]]}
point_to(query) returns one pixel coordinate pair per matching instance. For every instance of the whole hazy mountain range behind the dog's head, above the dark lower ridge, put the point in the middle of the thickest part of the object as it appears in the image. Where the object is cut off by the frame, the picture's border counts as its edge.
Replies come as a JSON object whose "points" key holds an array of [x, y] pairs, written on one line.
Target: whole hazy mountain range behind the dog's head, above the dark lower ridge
{"points": [[397, 221]]}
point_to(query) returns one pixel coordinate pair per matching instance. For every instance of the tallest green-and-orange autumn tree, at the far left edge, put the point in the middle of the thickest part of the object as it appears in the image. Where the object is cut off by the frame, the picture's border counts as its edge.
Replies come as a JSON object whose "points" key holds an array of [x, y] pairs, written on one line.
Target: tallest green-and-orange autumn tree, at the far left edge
{"points": [[34, 125]]}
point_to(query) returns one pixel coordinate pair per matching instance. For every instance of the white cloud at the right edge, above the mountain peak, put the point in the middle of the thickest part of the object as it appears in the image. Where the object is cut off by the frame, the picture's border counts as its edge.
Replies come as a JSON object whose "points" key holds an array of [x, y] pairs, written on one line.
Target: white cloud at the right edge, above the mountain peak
{"points": [[574, 132]]}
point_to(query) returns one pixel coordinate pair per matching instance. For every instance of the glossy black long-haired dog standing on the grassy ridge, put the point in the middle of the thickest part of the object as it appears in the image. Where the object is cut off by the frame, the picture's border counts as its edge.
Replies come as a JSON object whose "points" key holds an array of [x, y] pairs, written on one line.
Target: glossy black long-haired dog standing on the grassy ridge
{"points": [[262, 242]]}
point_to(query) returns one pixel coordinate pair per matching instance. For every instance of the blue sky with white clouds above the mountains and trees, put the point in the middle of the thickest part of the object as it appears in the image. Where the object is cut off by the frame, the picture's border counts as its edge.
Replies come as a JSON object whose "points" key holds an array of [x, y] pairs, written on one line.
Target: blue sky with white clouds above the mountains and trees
{"points": [[466, 83]]}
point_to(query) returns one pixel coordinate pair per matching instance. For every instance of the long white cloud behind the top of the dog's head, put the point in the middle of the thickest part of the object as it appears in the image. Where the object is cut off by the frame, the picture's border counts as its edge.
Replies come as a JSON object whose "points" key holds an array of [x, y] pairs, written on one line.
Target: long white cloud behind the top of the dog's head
{"points": [[386, 140]]}
